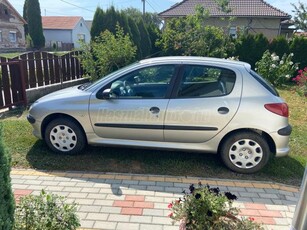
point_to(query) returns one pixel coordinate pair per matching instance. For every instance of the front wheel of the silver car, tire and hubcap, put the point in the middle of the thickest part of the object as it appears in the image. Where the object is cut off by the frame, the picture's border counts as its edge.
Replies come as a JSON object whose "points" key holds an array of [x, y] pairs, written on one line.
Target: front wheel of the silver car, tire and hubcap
{"points": [[65, 136]]}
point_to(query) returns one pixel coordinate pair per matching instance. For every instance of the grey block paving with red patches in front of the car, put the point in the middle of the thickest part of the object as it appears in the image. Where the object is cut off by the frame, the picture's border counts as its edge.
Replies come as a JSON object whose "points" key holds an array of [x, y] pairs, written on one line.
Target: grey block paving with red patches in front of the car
{"points": [[131, 201]]}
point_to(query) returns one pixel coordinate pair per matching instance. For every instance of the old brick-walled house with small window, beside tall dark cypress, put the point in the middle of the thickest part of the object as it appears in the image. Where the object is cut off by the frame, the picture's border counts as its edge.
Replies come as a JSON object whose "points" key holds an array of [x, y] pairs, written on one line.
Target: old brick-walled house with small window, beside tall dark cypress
{"points": [[12, 34]]}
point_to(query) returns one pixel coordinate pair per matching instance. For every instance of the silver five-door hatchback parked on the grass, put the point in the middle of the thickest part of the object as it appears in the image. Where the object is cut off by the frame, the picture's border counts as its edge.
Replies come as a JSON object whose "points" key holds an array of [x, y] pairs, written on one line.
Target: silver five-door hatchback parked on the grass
{"points": [[179, 103]]}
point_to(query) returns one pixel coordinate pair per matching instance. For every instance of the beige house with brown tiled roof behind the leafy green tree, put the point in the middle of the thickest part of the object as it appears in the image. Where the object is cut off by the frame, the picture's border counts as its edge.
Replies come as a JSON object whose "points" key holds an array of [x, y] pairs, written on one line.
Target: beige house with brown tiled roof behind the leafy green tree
{"points": [[252, 16]]}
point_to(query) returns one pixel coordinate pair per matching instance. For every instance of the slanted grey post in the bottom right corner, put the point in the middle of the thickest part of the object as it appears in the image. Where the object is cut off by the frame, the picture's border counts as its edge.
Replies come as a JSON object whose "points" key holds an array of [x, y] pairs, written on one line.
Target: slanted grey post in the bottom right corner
{"points": [[299, 221]]}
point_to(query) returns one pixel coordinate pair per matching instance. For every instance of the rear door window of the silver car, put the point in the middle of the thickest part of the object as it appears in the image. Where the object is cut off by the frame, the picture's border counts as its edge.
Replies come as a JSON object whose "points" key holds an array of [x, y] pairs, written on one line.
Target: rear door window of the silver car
{"points": [[206, 81]]}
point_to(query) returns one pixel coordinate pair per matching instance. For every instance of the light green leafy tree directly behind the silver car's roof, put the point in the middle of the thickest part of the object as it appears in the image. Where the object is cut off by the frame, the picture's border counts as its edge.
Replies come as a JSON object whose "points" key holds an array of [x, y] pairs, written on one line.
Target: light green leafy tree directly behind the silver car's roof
{"points": [[191, 36]]}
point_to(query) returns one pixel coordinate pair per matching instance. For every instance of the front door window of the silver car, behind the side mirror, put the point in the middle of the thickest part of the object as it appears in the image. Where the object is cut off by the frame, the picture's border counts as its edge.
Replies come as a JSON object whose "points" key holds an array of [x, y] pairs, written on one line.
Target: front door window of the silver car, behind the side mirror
{"points": [[149, 83]]}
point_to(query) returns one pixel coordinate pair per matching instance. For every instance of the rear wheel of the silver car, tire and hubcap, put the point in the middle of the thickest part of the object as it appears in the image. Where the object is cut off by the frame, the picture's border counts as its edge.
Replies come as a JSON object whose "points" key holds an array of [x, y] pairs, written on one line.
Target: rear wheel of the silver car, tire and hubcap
{"points": [[245, 152]]}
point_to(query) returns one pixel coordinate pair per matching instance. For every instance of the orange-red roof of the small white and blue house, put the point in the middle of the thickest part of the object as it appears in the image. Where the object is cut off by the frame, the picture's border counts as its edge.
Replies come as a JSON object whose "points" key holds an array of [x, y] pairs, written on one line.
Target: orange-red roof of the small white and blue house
{"points": [[60, 22]]}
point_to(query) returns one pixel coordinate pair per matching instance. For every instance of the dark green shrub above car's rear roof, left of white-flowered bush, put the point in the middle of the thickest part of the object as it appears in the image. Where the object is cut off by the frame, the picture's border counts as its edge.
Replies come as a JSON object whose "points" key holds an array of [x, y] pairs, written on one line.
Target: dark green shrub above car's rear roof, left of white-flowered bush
{"points": [[250, 48]]}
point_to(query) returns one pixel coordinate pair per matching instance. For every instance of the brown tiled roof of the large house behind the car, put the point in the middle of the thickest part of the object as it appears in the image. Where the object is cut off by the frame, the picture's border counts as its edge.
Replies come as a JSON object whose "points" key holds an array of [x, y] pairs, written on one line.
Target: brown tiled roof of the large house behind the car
{"points": [[239, 8]]}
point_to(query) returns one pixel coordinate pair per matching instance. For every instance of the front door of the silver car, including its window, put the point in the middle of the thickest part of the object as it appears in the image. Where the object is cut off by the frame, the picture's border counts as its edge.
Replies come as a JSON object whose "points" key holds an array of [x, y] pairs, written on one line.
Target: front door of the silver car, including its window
{"points": [[136, 106]]}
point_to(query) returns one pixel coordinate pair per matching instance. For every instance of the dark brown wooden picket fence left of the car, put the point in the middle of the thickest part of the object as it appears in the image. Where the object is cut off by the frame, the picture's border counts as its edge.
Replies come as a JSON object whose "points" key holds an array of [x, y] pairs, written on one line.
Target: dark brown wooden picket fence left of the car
{"points": [[33, 70]]}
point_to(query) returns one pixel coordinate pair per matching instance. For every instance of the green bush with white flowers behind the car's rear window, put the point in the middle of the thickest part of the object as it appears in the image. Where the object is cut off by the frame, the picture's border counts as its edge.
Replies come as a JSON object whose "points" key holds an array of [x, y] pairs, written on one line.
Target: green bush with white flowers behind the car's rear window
{"points": [[277, 71]]}
